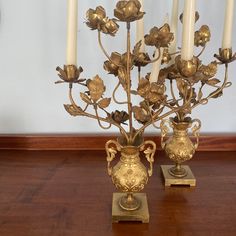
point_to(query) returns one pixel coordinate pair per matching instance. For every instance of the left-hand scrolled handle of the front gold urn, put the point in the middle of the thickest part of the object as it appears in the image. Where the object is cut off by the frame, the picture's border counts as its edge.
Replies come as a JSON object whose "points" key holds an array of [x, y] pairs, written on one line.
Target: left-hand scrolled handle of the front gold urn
{"points": [[111, 149]]}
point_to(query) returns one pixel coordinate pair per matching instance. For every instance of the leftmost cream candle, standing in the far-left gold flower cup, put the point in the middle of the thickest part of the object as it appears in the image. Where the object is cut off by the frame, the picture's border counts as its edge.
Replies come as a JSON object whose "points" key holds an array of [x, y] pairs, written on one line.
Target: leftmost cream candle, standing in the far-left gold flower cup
{"points": [[72, 27]]}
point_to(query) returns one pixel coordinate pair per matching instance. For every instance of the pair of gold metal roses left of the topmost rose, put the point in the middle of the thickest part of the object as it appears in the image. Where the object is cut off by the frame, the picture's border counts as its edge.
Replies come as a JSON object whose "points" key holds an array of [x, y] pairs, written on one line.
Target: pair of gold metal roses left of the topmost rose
{"points": [[97, 20]]}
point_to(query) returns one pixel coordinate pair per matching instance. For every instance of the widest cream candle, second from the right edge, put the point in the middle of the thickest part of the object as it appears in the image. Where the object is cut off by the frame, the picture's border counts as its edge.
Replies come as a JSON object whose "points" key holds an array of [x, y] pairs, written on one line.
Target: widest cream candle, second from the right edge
{"points": [[188, 30]]}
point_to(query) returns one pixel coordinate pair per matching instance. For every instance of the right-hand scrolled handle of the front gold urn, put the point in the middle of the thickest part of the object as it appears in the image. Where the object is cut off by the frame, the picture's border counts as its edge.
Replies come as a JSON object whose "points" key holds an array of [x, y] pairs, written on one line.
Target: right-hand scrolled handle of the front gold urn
{"points": [[149, 149]]}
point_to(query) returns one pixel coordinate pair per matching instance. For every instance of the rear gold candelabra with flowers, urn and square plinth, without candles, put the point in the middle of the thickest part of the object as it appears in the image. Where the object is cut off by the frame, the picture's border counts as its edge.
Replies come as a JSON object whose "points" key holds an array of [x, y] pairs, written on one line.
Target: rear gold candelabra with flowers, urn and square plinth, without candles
{"points": [[191, 78]]}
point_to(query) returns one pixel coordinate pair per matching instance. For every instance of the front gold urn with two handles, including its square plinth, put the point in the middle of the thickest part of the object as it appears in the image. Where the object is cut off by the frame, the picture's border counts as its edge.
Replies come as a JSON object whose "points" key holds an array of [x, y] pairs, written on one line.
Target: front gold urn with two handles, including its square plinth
{"points": [[129, 175]]}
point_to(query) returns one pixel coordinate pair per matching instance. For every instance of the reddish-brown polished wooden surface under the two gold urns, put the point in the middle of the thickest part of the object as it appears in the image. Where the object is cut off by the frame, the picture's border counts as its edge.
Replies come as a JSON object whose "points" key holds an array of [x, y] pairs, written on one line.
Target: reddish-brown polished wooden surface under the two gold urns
{"points": [[68, 193]]}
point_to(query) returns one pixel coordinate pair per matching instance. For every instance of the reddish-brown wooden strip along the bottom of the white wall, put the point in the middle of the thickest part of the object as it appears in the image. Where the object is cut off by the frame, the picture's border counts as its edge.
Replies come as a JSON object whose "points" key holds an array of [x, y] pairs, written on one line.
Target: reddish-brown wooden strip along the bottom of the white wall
{"points": [[208, 142]]}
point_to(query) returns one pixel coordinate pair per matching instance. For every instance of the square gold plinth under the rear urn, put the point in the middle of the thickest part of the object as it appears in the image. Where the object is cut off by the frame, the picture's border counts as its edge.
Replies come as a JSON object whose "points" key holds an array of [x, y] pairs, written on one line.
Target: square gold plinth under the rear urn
{"points": [[170, 180]]}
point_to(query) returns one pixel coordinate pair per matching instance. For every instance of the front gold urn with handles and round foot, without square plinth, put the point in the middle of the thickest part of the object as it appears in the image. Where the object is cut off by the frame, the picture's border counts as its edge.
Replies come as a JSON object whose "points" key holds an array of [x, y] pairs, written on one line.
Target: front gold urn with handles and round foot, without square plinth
{"points": [[129, 175]]}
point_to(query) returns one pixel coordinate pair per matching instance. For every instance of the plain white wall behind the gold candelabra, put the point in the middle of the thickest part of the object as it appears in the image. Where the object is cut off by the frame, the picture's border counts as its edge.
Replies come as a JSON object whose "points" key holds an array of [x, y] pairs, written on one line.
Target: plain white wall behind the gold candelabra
{"points": [[32, 44]]}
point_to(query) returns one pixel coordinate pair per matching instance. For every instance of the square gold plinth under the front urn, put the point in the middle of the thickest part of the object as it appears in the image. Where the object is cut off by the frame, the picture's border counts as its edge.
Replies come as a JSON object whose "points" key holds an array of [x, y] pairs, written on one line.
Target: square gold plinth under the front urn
{"points": [[119, 214]]}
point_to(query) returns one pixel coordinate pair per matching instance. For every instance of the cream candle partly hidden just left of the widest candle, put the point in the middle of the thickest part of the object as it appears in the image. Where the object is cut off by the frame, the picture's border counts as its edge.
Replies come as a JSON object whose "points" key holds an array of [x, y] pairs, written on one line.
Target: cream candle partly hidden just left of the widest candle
{"points": [[174, 25]]}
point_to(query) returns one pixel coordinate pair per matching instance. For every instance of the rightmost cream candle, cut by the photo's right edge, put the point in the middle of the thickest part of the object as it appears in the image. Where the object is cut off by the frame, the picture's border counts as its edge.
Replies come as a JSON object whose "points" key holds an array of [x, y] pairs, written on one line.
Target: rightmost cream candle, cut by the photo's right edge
{"points": [[229, 13]]}
